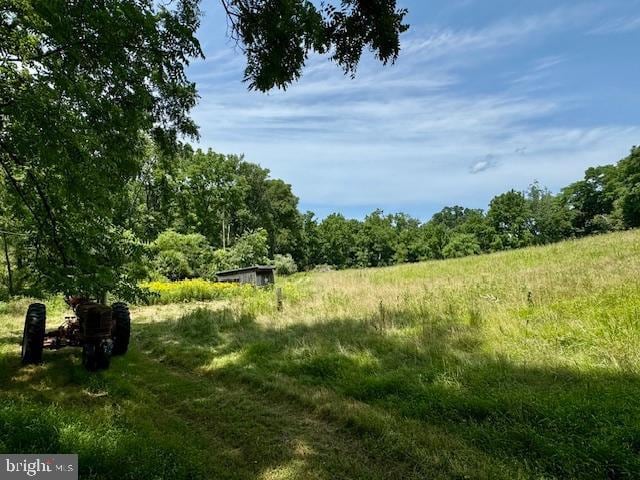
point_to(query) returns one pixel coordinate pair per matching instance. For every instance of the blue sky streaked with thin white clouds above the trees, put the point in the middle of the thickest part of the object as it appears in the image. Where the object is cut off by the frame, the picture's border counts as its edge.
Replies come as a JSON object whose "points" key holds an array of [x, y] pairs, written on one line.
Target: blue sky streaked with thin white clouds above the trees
{"points": [[486, 96]]}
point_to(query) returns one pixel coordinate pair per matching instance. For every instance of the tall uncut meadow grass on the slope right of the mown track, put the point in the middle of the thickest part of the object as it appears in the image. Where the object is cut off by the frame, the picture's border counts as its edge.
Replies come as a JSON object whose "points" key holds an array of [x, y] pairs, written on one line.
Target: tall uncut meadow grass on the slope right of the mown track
{"points": [[532, 355]]}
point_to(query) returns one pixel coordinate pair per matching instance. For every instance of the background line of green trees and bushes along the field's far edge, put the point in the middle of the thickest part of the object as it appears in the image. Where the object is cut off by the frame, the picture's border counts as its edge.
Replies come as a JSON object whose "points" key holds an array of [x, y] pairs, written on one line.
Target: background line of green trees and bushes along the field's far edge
{"points": [[192, 213]]}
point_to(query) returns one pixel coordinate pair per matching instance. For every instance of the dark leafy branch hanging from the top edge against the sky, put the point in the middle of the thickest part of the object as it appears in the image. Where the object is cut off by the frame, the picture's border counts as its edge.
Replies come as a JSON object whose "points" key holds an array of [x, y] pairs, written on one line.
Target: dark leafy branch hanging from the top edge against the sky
{"points": [[277, 36]]}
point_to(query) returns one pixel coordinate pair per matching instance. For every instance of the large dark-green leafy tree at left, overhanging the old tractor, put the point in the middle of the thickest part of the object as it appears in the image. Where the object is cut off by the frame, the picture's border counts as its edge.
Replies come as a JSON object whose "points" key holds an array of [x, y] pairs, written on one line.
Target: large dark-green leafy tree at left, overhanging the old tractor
{"points": [[79, 83]]}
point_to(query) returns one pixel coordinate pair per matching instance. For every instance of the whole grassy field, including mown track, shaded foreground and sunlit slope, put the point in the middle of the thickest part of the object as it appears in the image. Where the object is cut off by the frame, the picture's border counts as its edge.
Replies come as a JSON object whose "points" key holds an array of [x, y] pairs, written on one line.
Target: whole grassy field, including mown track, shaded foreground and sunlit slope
{"points": [[523, 364]]}
